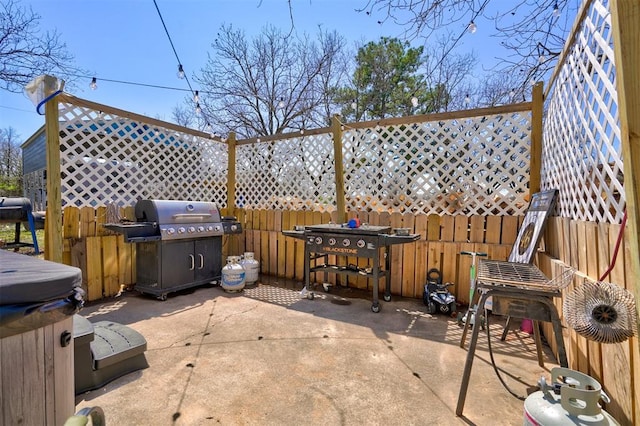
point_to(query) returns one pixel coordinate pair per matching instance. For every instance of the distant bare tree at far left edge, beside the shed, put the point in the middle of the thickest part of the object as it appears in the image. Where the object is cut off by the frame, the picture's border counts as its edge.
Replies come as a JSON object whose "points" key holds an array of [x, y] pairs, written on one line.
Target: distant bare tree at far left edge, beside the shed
{"points": [[10, 163]]}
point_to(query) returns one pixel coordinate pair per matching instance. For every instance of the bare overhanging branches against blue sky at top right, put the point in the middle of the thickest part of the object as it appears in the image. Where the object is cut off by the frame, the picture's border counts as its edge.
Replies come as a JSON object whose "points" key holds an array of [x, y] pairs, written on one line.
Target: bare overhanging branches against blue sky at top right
{"points": [[533, 31]]}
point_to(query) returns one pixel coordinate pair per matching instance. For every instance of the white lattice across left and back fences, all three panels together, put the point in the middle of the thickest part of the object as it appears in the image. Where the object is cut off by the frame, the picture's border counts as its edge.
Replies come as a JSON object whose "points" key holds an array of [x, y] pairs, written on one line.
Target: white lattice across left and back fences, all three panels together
{"points": [[470, 166]]}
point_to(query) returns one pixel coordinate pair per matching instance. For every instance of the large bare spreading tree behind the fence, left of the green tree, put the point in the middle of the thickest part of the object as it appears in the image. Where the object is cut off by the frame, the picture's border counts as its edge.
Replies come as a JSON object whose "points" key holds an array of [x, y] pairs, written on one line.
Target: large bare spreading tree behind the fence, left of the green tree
{"points": [[276, 82]]}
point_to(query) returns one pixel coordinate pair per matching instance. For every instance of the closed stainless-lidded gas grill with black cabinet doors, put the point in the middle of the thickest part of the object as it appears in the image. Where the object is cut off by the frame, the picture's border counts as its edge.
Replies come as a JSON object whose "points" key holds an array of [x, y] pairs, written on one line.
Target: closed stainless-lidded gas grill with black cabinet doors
{"points": [[179, 244]]}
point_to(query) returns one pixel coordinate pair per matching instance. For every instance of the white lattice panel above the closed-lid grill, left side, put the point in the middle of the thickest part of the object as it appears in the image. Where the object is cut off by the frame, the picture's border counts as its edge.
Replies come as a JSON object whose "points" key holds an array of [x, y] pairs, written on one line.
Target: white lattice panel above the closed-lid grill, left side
{"points": [[110, 159]]}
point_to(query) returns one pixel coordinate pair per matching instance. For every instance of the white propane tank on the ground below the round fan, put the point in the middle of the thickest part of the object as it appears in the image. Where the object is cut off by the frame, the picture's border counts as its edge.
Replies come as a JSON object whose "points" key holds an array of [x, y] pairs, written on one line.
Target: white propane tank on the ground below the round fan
{"points": [[572, 402]]}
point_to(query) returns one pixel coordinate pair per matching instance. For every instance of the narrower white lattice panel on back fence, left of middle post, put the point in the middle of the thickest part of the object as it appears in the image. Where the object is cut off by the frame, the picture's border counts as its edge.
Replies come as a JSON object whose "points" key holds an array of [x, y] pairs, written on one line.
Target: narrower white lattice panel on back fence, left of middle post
{"points": [[291, 174]]}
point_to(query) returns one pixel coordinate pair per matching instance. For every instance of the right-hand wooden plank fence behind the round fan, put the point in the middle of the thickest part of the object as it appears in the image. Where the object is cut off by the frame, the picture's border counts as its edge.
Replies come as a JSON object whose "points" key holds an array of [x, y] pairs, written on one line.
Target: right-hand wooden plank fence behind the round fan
{"points": [[588, 247]]}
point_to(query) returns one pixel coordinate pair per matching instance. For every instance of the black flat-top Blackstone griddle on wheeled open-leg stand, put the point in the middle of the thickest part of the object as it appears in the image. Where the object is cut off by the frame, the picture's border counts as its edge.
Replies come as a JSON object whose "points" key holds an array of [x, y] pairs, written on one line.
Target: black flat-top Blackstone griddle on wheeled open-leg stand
{"points": [[366, 241]]}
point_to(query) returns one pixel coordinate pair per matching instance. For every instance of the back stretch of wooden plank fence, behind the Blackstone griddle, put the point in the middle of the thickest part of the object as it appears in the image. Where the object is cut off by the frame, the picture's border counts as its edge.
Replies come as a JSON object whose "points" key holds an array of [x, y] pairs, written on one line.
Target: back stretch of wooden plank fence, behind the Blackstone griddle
{"points": [[442, 240]]}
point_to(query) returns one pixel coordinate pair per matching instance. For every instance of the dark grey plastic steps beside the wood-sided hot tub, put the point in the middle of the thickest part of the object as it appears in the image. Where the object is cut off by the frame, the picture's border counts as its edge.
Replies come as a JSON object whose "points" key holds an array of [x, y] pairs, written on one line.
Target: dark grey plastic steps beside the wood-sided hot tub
{"points": [[104, 351]]}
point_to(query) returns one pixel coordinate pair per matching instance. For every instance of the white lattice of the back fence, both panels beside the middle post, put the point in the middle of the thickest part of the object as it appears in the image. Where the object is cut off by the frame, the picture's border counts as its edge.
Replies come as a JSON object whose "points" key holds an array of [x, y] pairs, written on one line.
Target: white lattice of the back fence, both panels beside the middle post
{"points": [[469, 166]]}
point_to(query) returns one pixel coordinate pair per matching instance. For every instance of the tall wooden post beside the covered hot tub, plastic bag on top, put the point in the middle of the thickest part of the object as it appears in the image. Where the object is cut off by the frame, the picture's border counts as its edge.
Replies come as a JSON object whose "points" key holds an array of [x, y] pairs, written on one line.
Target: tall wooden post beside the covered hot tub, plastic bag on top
{"points": [[53, 223]]}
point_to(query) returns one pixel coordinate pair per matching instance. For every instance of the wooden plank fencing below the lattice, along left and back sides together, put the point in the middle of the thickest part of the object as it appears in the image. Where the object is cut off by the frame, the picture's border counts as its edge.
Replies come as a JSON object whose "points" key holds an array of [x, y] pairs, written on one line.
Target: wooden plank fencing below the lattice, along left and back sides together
{"points": [[108, 263]]}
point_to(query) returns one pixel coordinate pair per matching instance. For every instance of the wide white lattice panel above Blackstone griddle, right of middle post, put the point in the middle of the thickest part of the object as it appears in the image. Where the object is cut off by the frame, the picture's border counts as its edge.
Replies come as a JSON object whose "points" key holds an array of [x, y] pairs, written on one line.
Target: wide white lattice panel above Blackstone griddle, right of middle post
{"points": [[468, 166]]}
